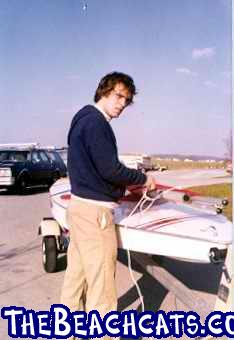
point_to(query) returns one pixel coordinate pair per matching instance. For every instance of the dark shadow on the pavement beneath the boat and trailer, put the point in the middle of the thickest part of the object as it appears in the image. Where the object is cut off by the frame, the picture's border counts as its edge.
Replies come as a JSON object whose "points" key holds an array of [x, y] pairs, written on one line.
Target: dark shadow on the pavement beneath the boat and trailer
{"points": [[198, 277]]}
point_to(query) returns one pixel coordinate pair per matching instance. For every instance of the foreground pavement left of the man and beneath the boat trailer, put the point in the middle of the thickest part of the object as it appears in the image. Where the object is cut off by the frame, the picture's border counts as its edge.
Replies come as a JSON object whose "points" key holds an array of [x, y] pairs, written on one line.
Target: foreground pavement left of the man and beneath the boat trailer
{"points": [[25, 283]]}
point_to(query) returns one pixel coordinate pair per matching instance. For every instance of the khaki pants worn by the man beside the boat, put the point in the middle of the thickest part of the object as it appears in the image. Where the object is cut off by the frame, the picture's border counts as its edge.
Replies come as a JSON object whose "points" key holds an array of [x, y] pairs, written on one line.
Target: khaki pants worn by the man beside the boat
{"points": [[89, 282]]}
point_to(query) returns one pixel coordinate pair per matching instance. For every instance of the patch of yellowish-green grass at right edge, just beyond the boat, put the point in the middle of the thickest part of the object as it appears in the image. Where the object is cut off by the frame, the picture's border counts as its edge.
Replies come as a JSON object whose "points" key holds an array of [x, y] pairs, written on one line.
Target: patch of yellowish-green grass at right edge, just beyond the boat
{"points": [[220, 191]]}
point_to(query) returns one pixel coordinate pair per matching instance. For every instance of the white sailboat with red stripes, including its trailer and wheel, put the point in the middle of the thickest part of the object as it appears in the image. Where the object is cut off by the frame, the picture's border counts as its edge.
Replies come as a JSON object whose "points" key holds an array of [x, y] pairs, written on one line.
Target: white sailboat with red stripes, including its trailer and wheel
{"points": [[173, 223]]}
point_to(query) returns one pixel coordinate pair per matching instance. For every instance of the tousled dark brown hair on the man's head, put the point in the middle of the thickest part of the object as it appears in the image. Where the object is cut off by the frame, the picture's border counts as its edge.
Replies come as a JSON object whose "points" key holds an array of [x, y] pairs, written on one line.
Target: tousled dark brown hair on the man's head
{"points": [[108, 82]]}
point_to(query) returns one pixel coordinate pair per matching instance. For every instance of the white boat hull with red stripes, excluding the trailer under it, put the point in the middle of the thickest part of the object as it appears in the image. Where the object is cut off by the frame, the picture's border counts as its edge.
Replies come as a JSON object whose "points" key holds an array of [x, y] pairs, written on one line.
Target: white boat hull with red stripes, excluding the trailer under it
{"points": [[173, 226]]}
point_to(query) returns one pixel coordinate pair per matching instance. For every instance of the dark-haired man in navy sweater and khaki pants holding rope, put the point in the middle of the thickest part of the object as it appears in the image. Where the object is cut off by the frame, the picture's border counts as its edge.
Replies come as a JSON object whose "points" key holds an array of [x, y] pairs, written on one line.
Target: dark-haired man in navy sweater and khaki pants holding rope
{"points": [[98, 181]]}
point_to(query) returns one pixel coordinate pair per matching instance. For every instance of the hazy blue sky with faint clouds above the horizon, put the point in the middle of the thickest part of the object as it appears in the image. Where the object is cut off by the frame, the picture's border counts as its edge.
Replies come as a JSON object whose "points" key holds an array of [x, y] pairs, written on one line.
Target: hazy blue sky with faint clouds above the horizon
{"points": [[53, 53]]}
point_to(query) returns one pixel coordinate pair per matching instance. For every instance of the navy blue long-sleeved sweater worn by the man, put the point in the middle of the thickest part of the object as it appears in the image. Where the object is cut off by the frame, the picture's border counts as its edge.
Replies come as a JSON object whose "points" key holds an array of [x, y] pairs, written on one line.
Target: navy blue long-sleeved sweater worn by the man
{"points": [[94, 168]]}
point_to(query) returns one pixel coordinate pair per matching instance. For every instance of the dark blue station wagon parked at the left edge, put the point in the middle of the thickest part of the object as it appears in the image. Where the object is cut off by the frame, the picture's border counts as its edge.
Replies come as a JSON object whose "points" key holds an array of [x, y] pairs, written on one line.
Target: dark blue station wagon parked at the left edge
{"points": [[22, 168]]}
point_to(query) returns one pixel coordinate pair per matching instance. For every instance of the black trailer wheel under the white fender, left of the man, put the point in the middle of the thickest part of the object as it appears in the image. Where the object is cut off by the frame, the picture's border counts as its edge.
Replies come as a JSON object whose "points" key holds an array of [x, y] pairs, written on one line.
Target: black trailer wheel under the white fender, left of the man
{"points": [[49, 253]]}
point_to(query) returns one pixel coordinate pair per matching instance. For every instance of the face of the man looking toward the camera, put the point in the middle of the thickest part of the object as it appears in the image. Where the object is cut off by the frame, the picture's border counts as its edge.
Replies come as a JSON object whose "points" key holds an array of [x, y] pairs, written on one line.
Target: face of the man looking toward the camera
{"points": [[114, 103]]}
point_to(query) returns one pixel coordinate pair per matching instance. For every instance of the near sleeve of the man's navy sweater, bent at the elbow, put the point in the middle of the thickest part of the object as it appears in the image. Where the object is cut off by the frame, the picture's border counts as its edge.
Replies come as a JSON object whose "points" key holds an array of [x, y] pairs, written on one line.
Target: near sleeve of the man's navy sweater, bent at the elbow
{"points": [[104, 155]]}
